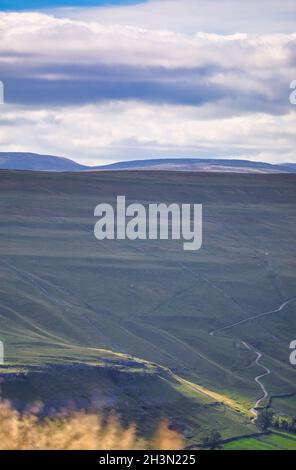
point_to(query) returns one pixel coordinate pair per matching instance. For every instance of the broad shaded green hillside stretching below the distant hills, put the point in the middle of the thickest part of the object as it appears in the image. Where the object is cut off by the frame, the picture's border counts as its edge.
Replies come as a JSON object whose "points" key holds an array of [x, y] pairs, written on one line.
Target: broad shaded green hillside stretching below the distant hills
{"points": [[63, 294]]}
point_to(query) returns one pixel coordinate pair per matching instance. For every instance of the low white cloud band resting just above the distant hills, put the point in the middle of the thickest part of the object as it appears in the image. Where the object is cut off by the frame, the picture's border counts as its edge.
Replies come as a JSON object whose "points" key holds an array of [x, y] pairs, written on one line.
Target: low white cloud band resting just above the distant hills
{"points": [[122, 130]]}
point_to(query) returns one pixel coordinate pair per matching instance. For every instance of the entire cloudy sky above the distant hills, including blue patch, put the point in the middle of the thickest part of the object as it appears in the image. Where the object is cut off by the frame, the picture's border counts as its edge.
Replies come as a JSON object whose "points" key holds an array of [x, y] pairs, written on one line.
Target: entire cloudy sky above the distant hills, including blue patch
{"points": [[109, 80]]}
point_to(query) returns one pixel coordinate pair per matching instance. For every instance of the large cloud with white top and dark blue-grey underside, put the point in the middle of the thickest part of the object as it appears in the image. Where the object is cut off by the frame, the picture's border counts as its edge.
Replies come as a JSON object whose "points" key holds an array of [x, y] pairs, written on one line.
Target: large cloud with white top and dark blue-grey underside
{"points": [[50, 61]]}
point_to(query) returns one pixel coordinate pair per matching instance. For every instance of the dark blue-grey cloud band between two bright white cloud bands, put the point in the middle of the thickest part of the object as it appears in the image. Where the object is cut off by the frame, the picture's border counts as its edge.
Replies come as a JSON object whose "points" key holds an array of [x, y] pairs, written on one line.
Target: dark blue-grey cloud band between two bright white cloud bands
{"points": [[75, 84]]}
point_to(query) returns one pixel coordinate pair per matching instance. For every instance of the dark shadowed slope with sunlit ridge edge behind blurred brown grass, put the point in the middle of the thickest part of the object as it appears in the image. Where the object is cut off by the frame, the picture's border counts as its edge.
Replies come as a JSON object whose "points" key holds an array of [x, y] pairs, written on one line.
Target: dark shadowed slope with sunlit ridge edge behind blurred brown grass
{"points": [[135, 393]]}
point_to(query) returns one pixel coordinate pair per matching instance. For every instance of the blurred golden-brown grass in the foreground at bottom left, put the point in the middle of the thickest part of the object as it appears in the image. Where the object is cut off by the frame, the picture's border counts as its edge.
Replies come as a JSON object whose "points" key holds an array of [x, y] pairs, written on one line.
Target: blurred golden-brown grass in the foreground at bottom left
{"points": [[76, 431]]}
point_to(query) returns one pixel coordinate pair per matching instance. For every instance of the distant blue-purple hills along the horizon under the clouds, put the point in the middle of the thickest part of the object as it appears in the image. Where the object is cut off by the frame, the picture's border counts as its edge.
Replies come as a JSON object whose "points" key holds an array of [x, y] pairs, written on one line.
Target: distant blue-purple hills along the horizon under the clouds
{"points": [[36, 162]]}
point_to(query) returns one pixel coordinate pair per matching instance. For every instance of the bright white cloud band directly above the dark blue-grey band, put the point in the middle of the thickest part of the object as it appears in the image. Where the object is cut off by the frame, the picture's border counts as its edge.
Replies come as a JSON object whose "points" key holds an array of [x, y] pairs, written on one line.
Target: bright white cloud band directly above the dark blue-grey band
{"points": [[37, 39]]}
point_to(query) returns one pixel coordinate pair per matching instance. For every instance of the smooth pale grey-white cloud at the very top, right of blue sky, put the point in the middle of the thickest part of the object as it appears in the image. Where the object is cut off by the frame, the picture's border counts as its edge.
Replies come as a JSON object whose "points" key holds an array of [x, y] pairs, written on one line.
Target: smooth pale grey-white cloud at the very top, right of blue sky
{"points": [[190, 16]]}
